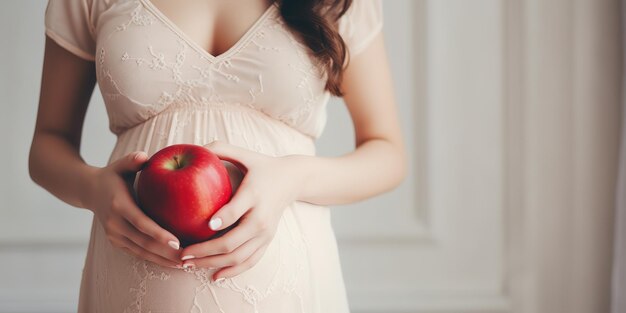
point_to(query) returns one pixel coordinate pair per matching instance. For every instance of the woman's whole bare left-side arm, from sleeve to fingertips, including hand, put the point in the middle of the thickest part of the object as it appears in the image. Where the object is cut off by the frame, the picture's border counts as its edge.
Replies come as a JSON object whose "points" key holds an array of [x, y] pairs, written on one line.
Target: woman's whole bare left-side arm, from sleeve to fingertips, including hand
{"points": [[56, 165]]}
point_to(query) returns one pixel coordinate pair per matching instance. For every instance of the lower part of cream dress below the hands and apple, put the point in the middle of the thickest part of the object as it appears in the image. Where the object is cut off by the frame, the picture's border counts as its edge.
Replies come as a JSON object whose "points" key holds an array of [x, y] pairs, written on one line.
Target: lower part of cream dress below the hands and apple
{"points": [[282, 281]]}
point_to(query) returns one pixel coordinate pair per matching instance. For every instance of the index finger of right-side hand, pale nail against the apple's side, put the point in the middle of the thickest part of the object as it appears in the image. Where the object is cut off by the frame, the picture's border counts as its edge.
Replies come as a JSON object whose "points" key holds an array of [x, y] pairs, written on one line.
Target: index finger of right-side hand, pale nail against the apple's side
{"points": [[230, 212]]}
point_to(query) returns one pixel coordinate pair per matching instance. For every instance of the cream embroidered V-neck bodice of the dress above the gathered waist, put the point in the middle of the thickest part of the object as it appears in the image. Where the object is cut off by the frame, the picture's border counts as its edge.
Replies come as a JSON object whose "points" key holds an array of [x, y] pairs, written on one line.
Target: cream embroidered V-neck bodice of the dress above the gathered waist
{"points": [[146, 64]]}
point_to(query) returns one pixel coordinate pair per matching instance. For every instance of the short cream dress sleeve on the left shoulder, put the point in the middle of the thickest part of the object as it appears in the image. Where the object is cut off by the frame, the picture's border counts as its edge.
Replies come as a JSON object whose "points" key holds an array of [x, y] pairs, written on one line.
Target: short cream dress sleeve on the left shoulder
{"points": [[68, 23]]}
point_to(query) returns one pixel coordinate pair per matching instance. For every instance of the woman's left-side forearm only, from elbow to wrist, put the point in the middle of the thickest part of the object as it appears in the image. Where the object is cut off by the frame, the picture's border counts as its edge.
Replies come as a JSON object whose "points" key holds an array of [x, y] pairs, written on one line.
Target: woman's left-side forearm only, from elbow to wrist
{"points": [[55, 164]]}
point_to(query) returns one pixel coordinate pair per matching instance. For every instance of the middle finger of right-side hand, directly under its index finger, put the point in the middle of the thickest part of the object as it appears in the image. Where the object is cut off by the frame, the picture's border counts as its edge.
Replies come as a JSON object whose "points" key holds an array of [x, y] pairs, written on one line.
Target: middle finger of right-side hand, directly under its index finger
{"points": [[224, 244]]}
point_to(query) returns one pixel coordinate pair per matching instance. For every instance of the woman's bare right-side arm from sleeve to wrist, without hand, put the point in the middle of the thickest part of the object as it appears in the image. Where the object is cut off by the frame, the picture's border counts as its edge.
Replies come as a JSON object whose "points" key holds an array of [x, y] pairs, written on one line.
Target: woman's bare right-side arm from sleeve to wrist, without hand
{"points": [[379, 162]]}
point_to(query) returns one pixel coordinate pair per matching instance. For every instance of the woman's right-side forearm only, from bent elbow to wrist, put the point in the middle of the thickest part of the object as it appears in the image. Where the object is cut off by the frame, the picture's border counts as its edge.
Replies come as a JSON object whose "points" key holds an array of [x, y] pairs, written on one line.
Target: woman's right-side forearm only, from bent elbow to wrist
{"points": [[376, 166]]}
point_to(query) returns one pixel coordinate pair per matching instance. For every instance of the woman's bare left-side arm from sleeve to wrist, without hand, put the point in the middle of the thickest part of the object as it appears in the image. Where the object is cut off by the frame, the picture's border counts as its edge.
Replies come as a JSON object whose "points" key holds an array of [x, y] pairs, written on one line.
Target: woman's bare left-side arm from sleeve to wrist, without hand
{"points": [[54, 162]]}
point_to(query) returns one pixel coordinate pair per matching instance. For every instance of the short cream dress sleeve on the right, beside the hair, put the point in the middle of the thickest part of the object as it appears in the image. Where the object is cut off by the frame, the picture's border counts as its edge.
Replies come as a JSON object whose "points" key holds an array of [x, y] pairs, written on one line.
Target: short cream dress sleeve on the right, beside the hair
{"points": [[360, 24]]}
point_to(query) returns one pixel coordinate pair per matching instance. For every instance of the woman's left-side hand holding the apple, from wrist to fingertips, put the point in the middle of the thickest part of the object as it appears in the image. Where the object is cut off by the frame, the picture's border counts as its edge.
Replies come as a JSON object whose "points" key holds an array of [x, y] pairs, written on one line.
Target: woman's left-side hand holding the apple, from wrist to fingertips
{"points": [[110, 197]]}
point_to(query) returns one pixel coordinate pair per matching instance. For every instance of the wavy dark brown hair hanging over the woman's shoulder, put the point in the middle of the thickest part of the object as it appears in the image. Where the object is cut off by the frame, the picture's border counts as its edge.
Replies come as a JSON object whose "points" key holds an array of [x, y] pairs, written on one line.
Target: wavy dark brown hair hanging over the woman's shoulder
{"points": [[316, 23]]}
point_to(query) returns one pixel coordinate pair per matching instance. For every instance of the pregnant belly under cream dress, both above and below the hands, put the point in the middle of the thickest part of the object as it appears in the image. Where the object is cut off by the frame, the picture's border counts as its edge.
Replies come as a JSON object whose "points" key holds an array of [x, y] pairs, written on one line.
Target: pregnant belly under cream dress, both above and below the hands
{"points": [[284, 278]]}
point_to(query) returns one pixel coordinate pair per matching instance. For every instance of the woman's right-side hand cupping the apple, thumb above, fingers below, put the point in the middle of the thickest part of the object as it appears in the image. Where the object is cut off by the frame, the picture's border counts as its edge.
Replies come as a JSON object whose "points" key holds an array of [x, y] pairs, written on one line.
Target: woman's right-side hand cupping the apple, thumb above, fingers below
{"points": [[270, 184]]}
